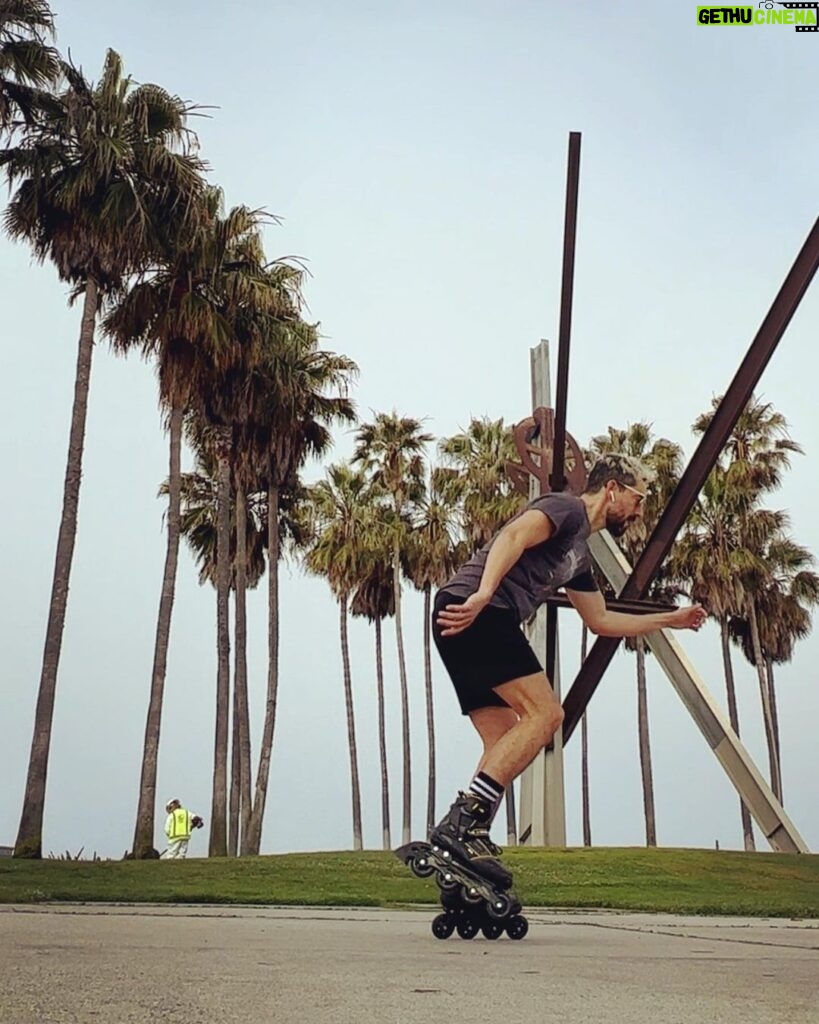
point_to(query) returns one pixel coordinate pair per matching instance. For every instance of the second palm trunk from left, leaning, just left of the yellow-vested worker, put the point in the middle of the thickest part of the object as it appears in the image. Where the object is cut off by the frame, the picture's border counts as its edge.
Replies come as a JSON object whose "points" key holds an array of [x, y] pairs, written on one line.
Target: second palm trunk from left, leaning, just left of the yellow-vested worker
{"points": [[144, 833]]}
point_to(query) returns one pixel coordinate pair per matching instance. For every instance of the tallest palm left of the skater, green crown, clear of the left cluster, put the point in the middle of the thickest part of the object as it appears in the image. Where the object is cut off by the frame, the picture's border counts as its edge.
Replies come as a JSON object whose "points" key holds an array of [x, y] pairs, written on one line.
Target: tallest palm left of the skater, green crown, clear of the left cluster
{"points": [[392, 449]]}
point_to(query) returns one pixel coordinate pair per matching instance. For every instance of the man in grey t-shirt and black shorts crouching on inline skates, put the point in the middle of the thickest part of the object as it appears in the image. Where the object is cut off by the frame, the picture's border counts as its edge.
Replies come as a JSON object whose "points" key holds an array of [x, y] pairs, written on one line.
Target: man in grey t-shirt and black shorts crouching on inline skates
{"points": [[499, 681]]}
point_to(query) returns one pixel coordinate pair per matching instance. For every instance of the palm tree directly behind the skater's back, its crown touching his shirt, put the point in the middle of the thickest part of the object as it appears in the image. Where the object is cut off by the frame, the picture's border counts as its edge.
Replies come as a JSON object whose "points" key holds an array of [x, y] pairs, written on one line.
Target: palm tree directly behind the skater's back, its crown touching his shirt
{"points": [[434, 554]]}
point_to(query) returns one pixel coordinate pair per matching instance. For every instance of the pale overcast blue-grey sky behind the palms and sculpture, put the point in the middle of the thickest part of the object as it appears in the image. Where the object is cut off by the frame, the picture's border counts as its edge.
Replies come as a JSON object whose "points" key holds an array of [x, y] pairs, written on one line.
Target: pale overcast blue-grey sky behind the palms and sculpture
{"points": [[416, 154]]}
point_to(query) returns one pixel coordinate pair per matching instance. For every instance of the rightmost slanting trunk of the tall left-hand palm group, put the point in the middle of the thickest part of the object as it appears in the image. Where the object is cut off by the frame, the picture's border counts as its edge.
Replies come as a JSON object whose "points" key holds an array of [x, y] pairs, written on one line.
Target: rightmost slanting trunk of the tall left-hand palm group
{"points": [[251, 844]]}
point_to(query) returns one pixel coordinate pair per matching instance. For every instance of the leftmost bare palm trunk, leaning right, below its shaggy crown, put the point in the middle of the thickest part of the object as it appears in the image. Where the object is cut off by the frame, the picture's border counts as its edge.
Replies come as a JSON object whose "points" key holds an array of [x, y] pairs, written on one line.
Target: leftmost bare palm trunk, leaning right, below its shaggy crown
{"points": [[30, 833]]}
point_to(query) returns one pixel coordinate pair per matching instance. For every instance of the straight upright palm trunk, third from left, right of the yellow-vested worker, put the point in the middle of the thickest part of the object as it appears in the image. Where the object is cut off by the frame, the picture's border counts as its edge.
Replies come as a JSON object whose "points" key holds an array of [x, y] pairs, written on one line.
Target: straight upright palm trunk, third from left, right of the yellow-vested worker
{"points": [[219, 836]]}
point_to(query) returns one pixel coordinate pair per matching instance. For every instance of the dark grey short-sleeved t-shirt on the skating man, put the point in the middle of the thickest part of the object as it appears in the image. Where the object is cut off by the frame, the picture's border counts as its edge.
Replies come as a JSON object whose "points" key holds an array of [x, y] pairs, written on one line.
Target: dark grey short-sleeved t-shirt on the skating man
{"points": [[542, 570]]}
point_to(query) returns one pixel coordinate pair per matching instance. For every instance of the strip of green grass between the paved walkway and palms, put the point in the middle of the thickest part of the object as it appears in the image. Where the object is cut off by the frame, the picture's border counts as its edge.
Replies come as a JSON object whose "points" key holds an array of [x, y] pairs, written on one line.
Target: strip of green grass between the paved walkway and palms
{"points": [[672, 881]]}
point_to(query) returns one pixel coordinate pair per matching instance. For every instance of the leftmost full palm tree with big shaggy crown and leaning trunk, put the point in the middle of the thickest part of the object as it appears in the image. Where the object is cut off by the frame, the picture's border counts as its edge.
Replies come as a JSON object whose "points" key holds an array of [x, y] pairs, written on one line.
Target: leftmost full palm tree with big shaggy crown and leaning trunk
{"points": [[95, 181]]}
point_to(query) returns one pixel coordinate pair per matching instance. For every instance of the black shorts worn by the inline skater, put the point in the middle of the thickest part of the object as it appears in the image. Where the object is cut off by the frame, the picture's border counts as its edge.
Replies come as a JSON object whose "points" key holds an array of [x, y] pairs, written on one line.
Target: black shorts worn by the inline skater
{"points": [[493, 652]]}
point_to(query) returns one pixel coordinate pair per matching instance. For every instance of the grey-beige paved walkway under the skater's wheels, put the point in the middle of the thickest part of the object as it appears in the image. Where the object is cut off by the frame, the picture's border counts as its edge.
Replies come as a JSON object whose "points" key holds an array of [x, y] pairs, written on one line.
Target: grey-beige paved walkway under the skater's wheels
{"points": [[126, 965]]}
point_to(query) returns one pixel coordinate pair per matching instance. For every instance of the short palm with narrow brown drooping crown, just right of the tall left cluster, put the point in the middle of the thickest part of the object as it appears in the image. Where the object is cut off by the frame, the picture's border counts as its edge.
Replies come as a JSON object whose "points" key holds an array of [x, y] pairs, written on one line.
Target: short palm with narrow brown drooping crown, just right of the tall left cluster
{"points": [[375, 600]]}
